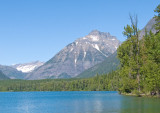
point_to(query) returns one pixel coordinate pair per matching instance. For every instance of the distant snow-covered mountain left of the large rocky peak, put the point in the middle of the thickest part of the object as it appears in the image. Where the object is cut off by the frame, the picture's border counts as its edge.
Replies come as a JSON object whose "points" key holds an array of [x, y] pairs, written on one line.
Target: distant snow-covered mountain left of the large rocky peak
{"points": [[27, 67]]}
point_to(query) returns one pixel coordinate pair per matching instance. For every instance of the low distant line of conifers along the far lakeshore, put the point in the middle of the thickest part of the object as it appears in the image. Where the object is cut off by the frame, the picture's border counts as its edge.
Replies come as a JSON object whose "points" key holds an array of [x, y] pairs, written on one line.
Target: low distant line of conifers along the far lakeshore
{"points": [[98, 83]]}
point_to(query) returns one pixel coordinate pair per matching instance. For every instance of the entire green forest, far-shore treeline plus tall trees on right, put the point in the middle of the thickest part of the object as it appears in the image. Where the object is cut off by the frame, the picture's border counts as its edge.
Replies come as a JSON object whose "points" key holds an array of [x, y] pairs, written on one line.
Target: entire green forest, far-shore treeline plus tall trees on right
{"points": [[138, 73]]}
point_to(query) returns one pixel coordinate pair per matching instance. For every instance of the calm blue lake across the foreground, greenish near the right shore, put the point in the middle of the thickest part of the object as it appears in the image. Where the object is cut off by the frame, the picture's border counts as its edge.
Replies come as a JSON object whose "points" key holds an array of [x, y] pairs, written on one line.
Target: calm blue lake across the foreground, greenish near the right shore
{"points": [[76, 102]]}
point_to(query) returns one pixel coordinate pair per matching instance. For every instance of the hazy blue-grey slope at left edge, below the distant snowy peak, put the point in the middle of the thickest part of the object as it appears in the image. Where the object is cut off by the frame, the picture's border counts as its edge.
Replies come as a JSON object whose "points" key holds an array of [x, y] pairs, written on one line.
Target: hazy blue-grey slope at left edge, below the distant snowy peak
{"points": [[11, 72]]}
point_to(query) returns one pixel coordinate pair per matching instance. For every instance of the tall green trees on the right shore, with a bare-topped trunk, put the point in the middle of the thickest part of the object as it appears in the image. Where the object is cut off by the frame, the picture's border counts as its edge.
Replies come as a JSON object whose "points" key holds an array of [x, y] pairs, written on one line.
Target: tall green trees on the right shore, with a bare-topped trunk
{"points": [[140, 60]]}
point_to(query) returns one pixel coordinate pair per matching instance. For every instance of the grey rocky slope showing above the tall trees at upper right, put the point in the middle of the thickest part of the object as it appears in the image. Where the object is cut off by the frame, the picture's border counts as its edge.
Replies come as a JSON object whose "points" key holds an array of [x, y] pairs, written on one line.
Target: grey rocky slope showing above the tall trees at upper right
{"points": [[149, 27]]}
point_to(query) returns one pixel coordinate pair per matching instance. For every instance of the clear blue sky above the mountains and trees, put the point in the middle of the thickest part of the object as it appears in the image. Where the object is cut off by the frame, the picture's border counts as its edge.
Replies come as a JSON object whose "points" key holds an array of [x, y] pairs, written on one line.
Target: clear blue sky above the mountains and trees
{"points": [[32, 30]]}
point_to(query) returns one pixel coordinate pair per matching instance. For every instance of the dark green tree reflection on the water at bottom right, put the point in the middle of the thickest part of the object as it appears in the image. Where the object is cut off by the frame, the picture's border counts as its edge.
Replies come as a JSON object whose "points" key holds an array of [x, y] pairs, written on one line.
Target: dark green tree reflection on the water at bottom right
{"points": [[140, 105]]}
